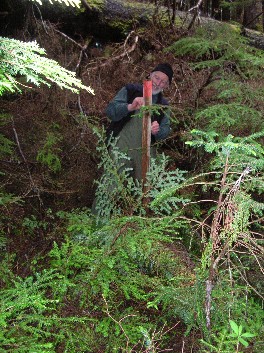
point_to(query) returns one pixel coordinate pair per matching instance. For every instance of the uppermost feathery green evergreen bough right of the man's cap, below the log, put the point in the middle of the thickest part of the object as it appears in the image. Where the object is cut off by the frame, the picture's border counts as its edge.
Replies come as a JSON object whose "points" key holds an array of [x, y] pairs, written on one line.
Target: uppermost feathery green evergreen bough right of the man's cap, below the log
{"points": [[219, 46]]}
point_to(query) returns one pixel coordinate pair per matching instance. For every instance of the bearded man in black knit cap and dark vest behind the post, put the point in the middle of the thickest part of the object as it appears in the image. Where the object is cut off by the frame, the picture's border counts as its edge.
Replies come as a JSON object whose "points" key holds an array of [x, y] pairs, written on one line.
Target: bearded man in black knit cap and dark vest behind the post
{"points": [[127, 126]]}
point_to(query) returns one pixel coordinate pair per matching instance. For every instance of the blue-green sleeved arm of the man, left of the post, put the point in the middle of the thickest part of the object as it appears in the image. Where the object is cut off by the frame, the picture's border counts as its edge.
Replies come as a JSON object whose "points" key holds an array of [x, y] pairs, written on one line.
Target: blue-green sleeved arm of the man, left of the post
{"points": [[117, 108]]}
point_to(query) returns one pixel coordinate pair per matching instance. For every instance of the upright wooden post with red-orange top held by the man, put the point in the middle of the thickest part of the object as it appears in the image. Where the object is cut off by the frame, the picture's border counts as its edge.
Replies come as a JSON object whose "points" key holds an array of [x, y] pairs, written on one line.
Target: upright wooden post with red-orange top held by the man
{"points": [[146, 130]]}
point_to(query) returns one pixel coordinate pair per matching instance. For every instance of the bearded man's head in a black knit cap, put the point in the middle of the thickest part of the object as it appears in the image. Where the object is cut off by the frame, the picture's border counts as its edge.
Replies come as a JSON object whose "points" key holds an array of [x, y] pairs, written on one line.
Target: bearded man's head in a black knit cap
{"points": [[161, 77]]}
